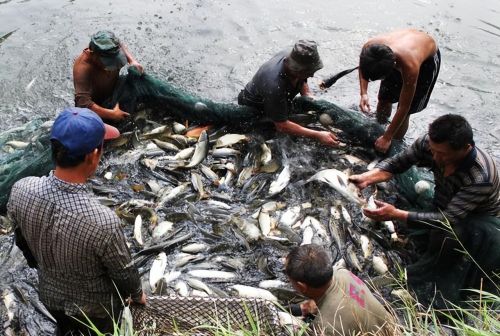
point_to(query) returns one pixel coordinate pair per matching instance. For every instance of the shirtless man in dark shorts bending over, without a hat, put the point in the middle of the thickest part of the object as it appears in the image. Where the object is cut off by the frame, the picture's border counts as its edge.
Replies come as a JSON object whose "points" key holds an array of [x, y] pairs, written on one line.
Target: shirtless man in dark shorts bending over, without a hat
{"points": [[407, 61]]}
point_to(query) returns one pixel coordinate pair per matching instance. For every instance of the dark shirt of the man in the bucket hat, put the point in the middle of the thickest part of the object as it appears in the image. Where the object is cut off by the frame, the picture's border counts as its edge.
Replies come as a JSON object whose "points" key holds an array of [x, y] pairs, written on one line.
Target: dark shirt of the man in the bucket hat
{"points": [[271, 90]]}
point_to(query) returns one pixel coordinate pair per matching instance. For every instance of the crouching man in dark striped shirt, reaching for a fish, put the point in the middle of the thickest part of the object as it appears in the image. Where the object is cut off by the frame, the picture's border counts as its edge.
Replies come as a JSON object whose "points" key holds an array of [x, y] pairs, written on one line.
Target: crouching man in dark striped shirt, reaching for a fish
{"points": [[467, 196]]}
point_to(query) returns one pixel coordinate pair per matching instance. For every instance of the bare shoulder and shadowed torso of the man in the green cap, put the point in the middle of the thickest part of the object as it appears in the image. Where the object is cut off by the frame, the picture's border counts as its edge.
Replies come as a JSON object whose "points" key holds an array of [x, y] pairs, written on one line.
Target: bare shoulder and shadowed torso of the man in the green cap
{"points": [[93, 84]]}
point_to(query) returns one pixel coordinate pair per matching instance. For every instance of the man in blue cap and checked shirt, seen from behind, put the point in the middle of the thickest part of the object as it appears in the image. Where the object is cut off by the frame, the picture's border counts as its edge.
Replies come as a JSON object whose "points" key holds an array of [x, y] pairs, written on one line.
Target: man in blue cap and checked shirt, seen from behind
{"points": [[76, 244]]}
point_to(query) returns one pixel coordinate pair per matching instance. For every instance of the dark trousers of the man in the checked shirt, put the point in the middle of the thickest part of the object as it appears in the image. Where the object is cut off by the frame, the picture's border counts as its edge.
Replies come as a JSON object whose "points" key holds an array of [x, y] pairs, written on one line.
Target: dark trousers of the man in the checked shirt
{"points": [[69, 326]]}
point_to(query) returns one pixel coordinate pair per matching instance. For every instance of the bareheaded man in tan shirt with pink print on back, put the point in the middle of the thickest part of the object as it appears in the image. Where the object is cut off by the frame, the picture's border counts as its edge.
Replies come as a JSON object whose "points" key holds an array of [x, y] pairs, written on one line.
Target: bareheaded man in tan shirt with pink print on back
{"points": [[345, 305]]}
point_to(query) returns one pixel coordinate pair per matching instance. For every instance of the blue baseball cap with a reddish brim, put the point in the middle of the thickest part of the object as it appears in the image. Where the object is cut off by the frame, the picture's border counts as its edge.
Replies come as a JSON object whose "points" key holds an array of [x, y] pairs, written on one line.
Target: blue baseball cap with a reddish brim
{"points": [[80, 130]]}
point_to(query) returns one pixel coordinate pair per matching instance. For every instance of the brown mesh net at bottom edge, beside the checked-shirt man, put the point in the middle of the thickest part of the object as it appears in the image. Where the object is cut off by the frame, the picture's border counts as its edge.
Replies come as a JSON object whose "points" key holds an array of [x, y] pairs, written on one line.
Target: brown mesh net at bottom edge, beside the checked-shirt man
{"points": [[167, 315]]}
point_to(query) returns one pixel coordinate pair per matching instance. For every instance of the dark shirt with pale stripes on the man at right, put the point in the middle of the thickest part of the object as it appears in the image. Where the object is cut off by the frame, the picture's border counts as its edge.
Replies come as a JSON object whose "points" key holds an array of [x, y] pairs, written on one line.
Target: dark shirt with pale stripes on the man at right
{"points": [[474, 187]]}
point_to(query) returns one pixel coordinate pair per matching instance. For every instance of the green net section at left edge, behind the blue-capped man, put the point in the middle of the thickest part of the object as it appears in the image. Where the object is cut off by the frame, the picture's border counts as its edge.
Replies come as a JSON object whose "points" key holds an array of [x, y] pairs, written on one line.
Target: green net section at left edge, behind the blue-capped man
{"points": [[16, 162]]}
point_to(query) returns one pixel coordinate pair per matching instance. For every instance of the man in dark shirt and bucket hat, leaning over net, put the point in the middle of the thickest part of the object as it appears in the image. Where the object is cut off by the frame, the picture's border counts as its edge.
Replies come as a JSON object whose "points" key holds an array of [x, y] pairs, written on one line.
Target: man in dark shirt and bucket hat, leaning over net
{"points": [[278, 81]]}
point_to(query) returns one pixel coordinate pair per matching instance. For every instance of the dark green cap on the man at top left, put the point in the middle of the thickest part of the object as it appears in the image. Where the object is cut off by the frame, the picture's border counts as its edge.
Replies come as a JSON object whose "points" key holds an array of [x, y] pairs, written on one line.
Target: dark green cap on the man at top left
{"points": [[107, 46]]}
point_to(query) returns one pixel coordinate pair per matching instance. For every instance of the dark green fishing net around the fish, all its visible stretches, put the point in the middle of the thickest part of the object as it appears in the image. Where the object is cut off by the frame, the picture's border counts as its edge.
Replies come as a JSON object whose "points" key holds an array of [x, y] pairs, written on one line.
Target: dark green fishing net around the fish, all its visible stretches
{"points": [[164, 100]]}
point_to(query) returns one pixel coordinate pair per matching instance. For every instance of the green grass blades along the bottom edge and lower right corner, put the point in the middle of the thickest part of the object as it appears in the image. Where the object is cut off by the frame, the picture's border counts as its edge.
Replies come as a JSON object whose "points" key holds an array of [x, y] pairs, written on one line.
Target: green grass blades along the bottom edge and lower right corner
{"points": [[478, 316]]}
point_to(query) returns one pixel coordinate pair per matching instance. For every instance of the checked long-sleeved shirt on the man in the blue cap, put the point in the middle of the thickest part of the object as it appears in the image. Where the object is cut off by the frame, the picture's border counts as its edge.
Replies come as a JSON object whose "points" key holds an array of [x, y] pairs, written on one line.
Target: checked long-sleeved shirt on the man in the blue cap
{"points": [[78, 245]]}
